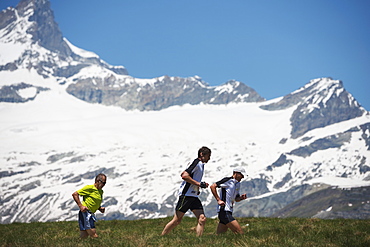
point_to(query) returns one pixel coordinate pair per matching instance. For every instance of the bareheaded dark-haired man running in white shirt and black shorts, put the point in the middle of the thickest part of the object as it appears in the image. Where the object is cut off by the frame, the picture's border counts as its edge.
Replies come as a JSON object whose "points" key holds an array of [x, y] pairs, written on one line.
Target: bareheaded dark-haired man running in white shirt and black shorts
{"points": [[189, 191]]}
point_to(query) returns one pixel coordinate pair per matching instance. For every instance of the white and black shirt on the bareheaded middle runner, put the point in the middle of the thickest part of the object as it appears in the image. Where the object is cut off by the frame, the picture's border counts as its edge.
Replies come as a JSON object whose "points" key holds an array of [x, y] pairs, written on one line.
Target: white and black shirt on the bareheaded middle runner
{"points": [[195, 170]]}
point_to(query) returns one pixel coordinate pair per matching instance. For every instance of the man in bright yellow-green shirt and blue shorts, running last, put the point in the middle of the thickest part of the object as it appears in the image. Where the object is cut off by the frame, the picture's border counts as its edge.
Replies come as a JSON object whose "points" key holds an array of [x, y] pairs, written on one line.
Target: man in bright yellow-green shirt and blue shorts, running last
{"points": [[92, 198]]}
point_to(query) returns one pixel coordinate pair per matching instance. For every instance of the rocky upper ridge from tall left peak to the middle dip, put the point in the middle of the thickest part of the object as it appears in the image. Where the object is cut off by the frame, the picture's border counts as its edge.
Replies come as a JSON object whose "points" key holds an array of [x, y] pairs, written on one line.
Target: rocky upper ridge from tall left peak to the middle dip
{"points": [[42, 47]]}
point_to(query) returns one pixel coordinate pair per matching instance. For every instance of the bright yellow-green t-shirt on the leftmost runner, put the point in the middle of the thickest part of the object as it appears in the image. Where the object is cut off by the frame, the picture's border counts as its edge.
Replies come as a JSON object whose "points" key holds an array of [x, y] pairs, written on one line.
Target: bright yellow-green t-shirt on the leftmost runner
{"points": [[92, 197]]}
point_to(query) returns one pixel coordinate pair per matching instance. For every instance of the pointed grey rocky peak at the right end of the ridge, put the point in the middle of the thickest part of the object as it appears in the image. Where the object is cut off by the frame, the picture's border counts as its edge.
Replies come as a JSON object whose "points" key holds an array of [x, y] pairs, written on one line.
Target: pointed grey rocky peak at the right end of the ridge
{"points": [[319, 103]]}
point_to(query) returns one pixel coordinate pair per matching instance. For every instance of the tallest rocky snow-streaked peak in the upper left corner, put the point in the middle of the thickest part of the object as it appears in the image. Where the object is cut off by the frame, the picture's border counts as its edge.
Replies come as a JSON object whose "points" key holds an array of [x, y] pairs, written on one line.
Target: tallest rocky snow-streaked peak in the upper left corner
{"points": [[40, 44]]}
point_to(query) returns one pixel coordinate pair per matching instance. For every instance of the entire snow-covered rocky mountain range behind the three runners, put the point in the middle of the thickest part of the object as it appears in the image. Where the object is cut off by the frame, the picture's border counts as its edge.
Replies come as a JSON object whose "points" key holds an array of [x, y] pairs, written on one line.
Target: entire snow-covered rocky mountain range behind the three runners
{"points": [[66, 115]]}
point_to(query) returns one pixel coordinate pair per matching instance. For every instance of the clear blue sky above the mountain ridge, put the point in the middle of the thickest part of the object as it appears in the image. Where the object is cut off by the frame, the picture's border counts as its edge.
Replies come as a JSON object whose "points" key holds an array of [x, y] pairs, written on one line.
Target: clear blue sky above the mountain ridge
{"points": [[272, 46]]}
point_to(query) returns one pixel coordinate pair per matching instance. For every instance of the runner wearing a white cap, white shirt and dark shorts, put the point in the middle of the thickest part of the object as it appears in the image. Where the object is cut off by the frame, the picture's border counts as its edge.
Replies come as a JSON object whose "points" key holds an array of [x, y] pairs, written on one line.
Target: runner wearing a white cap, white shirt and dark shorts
{"points": [[228, 195]]}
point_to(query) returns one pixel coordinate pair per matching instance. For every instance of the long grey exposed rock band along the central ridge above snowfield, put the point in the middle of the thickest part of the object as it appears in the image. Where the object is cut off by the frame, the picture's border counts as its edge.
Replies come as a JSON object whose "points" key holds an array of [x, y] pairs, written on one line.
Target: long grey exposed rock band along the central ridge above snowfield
{"points": [[163, 93]]}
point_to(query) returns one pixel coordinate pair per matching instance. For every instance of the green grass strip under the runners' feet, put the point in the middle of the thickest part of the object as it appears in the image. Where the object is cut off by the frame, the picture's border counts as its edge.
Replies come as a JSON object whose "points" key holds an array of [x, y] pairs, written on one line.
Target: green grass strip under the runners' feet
{"points": [[259, 232]]}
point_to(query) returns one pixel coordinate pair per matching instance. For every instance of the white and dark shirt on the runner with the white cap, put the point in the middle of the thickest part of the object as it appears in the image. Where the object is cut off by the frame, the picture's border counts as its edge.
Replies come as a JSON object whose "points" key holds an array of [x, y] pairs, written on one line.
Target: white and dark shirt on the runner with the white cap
{"points": [[229, 190]]}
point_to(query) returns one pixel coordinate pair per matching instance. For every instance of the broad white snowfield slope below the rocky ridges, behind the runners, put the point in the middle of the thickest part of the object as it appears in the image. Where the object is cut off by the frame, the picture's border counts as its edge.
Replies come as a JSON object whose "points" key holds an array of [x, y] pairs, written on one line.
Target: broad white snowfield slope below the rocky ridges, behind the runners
{"points": [[55, 144]]}
